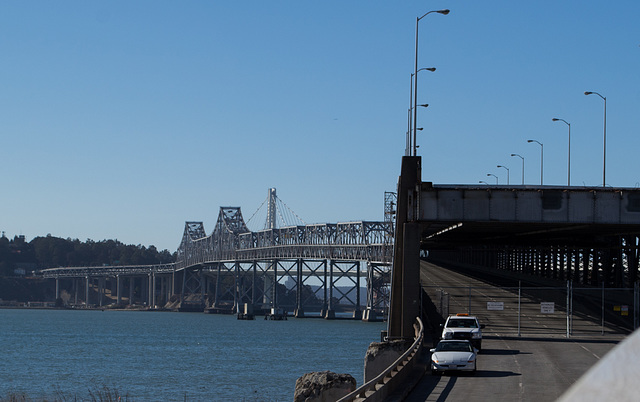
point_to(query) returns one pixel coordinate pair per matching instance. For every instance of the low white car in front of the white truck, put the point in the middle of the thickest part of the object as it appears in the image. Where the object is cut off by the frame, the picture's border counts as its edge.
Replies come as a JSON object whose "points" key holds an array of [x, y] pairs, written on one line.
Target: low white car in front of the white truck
{"points": [[453, 355]]}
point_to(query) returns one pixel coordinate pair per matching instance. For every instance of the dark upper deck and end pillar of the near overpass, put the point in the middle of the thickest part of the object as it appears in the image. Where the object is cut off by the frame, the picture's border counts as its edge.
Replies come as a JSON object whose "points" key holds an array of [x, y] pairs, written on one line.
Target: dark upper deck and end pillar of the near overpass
{"points": [[589, 235]]}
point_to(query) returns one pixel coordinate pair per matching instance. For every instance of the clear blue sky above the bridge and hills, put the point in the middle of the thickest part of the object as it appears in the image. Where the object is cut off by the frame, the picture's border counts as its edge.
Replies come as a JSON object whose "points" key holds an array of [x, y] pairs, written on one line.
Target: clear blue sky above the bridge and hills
{"points": [[124, 119]]}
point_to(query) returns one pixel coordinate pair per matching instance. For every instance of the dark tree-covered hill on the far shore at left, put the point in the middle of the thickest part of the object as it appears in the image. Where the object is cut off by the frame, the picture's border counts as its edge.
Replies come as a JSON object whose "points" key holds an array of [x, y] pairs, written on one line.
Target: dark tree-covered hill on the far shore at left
{"points": [[50, 252]]}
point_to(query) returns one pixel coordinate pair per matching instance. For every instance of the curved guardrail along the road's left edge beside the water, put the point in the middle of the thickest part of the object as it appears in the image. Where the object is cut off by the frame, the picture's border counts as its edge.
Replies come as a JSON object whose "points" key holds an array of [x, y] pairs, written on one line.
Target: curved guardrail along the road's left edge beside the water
{"points": [[378, 388]]}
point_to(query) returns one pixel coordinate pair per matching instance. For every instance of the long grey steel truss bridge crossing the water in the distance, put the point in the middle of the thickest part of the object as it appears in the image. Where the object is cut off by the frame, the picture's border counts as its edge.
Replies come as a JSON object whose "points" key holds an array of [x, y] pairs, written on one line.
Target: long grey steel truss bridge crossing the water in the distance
{"points": [[318, 269]]}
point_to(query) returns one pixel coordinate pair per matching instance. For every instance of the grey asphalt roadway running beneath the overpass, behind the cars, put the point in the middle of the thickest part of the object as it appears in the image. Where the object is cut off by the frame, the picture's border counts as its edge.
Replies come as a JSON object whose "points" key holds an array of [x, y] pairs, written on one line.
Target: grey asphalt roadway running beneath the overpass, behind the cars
{"points": [[537, 364]]}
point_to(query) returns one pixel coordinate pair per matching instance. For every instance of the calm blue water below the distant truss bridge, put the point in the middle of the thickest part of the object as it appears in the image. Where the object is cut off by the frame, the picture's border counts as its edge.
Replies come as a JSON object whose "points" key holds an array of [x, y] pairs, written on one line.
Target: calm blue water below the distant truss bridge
{"points": [[155, 356]]}
